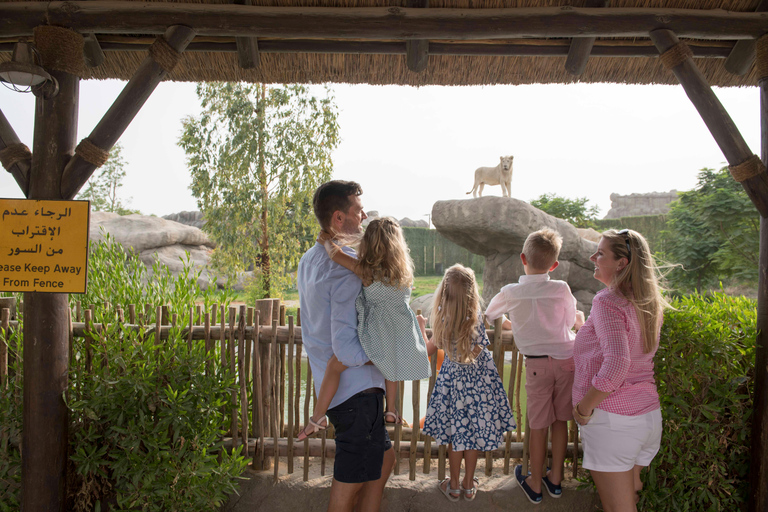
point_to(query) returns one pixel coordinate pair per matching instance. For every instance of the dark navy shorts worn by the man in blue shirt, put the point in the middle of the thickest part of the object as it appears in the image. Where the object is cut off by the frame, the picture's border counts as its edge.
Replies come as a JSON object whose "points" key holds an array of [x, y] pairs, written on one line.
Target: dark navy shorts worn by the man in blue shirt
{"points": [[361, 437]]}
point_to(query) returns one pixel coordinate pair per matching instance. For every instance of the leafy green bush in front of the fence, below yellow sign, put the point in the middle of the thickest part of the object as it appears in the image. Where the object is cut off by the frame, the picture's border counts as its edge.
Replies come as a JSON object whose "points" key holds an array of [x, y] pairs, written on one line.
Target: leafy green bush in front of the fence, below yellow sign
{"points": [[146, 422]]}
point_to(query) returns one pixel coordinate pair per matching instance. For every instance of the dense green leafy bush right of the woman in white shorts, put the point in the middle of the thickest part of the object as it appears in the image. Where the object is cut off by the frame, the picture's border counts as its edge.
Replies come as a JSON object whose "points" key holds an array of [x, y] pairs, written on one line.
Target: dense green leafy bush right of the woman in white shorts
{"points": [[705, 370]]}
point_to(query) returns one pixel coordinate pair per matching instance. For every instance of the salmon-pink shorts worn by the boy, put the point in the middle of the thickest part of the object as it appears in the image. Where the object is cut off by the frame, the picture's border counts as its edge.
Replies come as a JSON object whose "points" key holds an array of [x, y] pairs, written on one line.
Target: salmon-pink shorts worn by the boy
{"points": [[548, 384]]}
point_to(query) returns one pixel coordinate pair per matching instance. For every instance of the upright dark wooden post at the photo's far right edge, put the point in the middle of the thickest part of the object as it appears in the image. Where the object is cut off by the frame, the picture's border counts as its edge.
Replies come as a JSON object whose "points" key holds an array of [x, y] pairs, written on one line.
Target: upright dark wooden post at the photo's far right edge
{"points": [[758, 474]]}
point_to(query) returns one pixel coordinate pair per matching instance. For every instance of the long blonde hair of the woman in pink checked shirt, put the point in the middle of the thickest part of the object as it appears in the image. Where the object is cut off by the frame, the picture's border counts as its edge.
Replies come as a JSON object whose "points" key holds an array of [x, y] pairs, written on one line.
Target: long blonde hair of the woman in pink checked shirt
{"points": [[638, 281]]}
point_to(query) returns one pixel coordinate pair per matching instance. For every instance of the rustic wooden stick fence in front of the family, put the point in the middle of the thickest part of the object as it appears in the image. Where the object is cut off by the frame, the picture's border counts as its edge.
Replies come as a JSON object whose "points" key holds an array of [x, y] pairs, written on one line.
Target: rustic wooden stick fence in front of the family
{"points": [[263, 348]]}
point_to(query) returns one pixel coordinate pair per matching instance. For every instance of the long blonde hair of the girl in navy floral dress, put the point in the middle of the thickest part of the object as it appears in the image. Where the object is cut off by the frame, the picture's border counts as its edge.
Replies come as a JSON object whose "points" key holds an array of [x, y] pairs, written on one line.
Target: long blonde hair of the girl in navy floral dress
{"points": [[455, 313]]}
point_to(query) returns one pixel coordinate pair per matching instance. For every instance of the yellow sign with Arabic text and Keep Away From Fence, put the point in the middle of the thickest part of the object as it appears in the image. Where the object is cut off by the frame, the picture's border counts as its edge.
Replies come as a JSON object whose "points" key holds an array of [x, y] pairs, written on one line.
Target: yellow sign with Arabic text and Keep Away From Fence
{"points": [[43, 245]]}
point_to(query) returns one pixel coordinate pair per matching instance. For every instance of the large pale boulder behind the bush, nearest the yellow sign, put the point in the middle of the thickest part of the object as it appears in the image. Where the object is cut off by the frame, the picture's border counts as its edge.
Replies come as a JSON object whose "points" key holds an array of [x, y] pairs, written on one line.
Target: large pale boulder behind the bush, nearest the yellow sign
{"points": [[157, 238]]}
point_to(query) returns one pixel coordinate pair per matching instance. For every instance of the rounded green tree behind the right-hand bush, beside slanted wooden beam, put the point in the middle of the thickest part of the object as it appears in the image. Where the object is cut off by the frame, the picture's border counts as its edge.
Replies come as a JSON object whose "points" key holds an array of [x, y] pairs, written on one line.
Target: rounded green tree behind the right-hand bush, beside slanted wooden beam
{"points": [[713, 233]]}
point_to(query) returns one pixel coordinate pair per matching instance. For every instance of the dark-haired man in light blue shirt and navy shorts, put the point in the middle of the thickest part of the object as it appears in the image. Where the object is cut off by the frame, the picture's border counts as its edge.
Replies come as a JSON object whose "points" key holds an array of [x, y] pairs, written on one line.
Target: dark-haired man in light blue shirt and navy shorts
{"points": [[327, 293]]}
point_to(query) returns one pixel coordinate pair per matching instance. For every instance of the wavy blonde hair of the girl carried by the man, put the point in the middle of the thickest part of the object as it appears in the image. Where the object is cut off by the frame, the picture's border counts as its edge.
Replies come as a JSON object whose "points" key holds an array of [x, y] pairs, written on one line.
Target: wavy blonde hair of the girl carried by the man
{"points": [[383, 254]]}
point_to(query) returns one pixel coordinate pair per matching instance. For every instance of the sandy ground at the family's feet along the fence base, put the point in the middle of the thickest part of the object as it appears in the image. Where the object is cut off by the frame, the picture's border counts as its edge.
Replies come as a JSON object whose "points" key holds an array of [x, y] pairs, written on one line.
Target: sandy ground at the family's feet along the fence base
{"points": [[498, 492]]}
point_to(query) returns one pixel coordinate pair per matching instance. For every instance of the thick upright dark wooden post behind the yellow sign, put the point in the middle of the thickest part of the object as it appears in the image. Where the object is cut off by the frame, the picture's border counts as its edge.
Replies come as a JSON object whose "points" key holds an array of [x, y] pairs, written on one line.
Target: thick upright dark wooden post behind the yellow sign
{"points": [[45, 432]]}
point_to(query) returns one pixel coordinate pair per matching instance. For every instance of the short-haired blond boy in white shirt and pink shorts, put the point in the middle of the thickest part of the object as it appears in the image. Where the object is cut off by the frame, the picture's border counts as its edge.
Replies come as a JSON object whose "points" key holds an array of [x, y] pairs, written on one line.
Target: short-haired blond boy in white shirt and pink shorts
{"points": [[541, 314]]}
